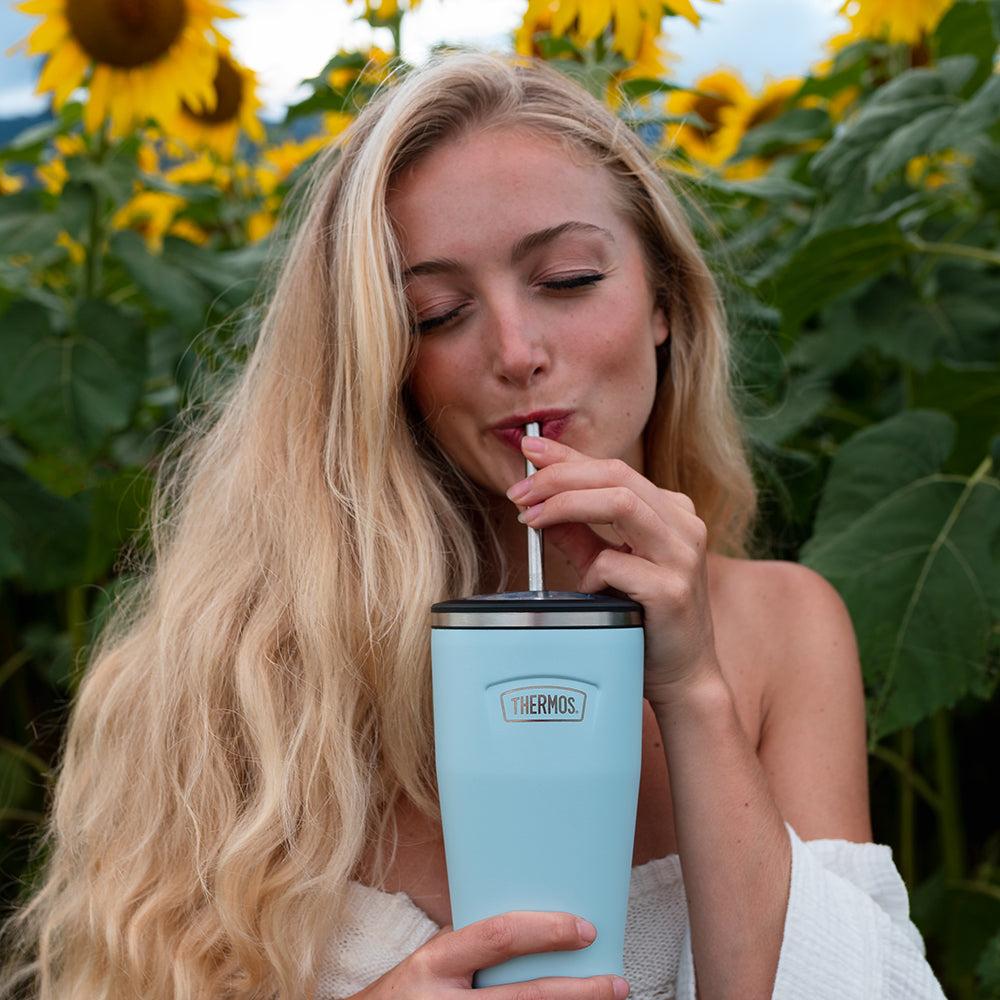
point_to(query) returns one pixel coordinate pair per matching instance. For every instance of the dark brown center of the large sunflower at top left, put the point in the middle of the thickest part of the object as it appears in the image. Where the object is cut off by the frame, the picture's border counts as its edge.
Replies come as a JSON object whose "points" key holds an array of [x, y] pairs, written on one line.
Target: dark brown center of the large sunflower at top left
{"points": [[126, 33]]}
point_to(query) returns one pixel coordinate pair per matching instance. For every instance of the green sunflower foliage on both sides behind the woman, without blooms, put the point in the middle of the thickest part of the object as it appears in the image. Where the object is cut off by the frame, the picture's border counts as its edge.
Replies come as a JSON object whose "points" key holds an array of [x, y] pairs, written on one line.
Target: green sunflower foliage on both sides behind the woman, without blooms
{"points": [[861, 268]]}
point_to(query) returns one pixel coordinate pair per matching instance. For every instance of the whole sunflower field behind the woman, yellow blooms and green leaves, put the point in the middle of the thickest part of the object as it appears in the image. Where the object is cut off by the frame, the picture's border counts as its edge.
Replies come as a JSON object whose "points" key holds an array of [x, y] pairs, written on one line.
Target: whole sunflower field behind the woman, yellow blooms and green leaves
{"points": [[852, 214]]}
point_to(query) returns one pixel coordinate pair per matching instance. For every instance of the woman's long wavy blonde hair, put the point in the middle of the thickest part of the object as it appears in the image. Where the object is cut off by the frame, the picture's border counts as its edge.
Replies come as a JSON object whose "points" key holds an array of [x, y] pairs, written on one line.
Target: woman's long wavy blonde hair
{"points": [[262, 700]]}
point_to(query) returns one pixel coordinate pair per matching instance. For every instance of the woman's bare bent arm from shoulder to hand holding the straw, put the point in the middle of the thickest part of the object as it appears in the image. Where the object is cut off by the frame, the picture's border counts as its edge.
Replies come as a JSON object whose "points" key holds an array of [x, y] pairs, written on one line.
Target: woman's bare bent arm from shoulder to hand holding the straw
{"points": [[732, 795]]}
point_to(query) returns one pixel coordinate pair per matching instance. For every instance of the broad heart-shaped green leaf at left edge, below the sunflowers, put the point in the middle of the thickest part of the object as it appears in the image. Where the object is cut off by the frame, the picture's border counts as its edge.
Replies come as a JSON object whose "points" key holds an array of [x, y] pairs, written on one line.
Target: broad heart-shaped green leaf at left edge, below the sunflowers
{"points": [[70, 390]]}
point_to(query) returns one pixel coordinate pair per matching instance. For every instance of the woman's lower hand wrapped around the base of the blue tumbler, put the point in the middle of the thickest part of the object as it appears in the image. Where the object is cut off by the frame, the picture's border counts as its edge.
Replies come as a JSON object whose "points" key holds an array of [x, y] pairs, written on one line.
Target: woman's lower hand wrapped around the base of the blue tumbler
{"points": [[445, 964]]}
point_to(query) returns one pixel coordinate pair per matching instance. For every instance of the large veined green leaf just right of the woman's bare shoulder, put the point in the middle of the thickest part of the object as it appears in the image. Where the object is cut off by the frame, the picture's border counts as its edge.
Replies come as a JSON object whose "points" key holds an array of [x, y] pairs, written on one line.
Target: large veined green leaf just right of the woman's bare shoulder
{"points": [[913, 552]]}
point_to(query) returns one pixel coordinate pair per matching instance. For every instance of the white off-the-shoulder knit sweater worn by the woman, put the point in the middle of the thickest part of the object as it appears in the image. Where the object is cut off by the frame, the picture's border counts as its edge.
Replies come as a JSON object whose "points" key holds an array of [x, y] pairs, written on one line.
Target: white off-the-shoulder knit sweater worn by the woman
{"points": [[848, 935]]}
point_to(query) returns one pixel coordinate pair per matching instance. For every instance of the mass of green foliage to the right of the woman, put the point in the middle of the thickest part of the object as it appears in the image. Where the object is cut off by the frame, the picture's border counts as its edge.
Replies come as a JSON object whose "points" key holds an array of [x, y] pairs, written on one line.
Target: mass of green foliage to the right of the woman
{"points": [[869, 316]]}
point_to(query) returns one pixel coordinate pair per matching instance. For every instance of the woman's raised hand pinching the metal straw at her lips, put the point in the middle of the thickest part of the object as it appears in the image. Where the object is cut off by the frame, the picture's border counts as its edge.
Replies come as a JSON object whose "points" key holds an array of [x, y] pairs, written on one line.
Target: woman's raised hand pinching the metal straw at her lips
{"points": [[660, 563]]}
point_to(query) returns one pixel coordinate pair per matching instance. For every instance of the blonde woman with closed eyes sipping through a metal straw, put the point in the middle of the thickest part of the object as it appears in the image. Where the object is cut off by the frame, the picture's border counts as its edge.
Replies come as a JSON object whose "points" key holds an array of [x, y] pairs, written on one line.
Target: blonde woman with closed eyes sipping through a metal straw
{"points": [[247, 804]]}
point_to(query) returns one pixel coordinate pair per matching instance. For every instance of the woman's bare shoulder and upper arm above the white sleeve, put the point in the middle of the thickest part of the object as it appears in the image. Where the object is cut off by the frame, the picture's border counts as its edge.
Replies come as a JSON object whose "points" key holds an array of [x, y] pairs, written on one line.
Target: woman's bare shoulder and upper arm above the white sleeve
{"points": [[787, 646]]}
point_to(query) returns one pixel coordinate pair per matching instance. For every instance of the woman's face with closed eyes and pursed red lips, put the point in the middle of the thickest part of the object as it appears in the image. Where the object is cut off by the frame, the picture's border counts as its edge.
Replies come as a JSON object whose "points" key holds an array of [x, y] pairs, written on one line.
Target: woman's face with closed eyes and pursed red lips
{"points": [[531, 302]]}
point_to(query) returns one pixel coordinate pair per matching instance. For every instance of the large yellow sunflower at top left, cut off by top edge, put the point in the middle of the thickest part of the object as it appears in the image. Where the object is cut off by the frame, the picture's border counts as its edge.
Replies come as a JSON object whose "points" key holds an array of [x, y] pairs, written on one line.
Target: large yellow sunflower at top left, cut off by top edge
{"points": [[139, 60]]}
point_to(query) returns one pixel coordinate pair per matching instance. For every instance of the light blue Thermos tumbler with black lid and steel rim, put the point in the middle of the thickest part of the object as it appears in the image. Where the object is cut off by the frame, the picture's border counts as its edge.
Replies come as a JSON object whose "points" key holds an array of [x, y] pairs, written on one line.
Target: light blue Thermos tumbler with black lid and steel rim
{"points": [[538, 726]]}
